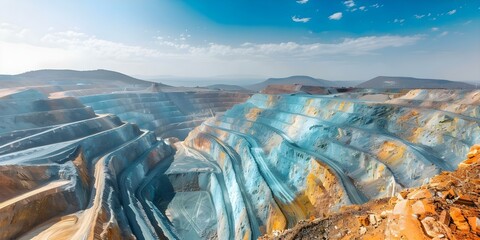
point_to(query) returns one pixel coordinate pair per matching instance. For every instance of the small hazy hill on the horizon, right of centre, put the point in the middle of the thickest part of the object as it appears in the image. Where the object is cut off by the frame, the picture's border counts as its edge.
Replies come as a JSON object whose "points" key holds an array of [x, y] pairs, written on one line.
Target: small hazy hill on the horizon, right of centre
{"points": [[303, 80]]}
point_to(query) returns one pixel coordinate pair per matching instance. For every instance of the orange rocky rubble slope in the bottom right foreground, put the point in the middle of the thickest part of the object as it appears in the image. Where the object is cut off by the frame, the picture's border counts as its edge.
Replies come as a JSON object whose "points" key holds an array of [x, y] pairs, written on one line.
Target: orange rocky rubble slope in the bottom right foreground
{"points": [[448, 207]]}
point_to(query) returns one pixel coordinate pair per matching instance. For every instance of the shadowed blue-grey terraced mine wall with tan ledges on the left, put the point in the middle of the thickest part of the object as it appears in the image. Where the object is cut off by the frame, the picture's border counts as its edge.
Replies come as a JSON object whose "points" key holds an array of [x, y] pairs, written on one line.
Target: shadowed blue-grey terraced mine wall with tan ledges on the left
{"points": [[66, 173]]}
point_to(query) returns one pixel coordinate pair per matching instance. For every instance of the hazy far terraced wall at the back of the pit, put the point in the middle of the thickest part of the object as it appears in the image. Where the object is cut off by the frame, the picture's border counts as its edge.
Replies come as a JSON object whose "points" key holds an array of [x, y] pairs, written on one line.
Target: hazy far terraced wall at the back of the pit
{"points": [[169, 114]]}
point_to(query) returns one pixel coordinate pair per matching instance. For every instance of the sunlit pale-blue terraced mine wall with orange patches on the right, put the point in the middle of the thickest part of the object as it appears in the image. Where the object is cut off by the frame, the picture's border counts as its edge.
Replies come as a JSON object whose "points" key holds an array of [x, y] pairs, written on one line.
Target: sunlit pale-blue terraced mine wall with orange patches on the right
{"points": [[288, 158]]}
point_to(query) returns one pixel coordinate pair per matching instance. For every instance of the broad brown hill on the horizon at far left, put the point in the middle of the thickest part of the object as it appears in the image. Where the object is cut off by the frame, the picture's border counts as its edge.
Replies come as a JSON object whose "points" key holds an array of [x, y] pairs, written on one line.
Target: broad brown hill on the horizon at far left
{"points": [[68, 77]]}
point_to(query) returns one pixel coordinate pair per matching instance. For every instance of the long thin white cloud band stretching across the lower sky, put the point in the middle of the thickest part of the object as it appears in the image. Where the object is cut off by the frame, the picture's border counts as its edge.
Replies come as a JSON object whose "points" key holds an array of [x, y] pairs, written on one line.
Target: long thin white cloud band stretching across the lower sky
{"points": [[95, 47]]}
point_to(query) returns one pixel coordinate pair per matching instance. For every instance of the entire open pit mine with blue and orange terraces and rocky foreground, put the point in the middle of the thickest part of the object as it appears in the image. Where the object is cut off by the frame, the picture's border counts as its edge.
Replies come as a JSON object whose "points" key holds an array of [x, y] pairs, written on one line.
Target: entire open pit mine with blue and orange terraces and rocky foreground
{"points": [[116, 161]]}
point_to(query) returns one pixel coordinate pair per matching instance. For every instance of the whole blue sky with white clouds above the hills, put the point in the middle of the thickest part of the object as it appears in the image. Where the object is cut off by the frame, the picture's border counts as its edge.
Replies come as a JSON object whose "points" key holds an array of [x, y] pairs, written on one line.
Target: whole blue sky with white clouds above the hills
{"points": [[337, 40]]}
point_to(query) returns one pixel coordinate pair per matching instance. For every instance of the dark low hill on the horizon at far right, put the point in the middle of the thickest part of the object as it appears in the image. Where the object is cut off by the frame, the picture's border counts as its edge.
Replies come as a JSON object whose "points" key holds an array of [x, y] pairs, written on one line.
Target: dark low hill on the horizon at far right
{"points": [[385, 82]]}
